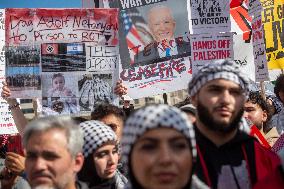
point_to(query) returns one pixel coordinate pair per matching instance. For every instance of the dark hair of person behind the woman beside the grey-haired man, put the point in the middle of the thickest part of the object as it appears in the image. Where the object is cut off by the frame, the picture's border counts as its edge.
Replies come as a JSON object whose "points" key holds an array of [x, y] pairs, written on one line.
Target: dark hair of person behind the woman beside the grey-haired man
{"points": [[105, 109]]}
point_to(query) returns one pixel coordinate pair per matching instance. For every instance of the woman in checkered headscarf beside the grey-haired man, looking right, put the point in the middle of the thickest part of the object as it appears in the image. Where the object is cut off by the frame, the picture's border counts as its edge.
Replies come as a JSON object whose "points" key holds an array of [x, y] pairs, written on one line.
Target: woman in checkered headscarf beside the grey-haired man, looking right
{"points": [[101, 154]]}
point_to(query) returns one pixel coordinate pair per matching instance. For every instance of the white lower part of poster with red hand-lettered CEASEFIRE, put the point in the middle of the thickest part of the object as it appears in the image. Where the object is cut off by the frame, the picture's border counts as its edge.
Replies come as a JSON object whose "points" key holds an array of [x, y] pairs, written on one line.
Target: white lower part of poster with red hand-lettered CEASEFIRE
{"points": [[157, 78]]}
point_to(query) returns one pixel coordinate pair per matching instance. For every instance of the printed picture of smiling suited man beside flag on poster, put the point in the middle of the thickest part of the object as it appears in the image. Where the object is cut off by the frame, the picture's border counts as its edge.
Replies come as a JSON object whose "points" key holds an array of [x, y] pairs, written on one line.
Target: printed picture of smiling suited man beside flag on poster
{"points": [[153, 30]]}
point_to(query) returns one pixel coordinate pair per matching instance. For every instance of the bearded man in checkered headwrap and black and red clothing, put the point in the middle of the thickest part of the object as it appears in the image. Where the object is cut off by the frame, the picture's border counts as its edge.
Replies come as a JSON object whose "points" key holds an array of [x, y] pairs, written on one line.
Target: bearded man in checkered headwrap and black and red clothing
{"points": [[227, 157]]}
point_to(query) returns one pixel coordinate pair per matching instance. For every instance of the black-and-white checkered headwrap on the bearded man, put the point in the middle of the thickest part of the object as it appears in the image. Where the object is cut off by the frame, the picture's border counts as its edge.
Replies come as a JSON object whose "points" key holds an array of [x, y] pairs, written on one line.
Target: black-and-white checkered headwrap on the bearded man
{"points": [[223, 69]]}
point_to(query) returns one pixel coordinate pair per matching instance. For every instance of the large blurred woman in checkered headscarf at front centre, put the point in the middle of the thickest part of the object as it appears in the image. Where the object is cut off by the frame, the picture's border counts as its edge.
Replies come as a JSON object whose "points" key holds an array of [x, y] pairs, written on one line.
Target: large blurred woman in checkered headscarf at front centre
{"points": [[158, 148]]}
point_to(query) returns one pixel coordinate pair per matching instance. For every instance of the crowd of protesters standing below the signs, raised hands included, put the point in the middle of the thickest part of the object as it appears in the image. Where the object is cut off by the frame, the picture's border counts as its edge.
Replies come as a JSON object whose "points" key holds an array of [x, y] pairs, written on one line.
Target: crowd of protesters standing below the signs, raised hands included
{"points": [[158, 146]]}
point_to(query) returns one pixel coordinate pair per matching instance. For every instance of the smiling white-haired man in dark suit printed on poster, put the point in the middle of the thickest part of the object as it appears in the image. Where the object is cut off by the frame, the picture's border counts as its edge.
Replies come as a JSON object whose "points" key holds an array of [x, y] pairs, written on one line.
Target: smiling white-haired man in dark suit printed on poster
{"points": [[162, 26]]}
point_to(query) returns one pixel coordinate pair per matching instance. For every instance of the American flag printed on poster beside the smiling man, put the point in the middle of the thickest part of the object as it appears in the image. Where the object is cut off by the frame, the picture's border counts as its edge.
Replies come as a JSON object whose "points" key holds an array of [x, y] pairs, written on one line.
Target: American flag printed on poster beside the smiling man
{"points": [[132, 37]]}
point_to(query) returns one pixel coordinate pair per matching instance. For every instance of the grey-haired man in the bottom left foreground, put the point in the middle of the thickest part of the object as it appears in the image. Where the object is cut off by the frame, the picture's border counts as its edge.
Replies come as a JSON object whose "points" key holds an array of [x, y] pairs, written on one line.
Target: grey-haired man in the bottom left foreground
{"points": [[53, 153]]}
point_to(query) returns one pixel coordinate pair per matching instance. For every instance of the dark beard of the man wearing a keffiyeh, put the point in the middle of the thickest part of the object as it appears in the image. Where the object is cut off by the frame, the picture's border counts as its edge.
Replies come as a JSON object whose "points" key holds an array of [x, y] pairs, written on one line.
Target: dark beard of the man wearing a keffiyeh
{"points": [[208, 120]]}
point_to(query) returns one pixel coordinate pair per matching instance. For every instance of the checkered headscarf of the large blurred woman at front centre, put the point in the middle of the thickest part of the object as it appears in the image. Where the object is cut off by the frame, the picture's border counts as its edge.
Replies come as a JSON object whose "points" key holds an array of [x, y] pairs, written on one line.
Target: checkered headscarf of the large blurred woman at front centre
{"points": [[151, 117]]}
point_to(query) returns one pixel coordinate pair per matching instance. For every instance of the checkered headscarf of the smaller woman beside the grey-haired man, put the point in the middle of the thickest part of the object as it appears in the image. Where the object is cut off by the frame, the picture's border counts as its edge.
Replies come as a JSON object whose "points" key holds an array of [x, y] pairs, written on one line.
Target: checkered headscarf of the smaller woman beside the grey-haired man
{"points": [[96, 134]]}
